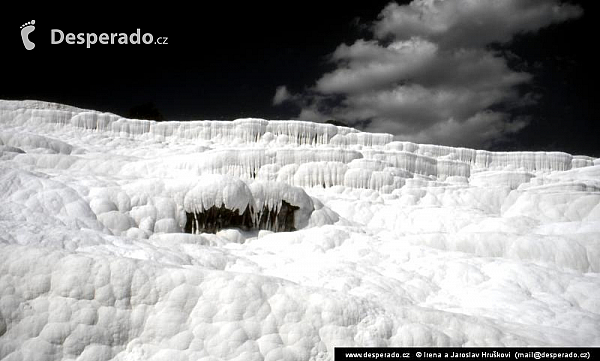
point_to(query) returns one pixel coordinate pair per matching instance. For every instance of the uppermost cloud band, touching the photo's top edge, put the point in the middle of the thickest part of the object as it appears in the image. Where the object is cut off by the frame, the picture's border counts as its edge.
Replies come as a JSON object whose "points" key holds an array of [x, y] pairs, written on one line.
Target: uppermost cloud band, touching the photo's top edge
{"points": [[460, 23]]}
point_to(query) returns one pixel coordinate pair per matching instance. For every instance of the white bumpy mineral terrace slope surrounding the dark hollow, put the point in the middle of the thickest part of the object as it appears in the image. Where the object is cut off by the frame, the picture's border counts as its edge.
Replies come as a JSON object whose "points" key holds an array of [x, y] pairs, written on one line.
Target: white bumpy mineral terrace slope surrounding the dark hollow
{"points": [[397, 243]]}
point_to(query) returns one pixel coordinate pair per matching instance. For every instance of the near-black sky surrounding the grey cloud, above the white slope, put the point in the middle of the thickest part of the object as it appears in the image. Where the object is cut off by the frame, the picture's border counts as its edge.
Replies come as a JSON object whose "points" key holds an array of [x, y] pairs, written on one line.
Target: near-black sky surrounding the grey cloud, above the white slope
{"points": [[226, 62]]}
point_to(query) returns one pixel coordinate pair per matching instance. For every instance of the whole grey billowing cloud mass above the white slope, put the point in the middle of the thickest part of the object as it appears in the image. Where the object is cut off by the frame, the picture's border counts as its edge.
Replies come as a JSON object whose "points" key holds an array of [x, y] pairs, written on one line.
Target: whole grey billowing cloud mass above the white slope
{"points": [[429, 75]]}
